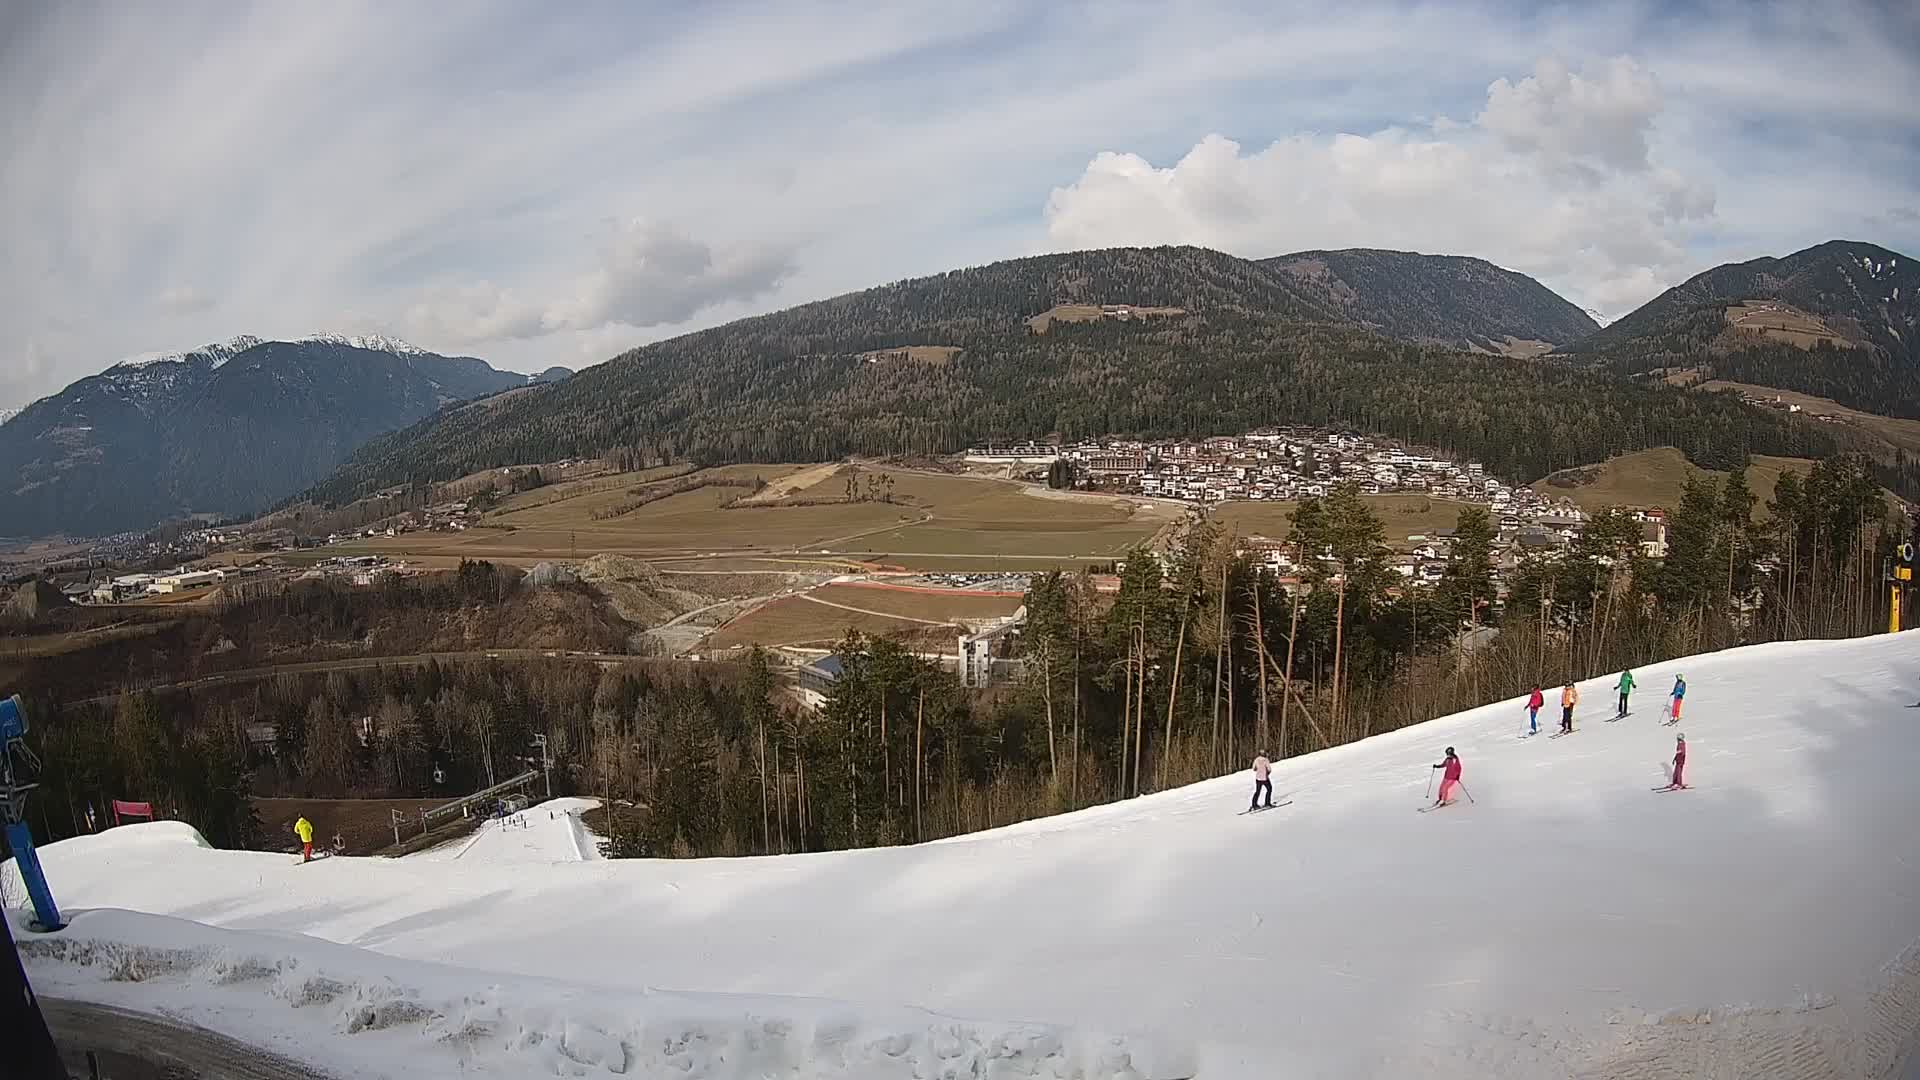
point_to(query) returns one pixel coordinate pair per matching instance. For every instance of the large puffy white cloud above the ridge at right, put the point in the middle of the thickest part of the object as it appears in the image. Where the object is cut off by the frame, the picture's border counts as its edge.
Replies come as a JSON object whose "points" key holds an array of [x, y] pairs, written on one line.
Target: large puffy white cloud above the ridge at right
{"points": [[1497, 187]]}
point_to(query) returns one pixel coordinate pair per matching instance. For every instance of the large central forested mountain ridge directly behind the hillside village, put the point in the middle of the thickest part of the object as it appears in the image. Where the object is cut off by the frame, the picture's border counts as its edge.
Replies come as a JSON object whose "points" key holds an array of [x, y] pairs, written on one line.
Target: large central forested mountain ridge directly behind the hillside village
{"points": [[1249, 351]]}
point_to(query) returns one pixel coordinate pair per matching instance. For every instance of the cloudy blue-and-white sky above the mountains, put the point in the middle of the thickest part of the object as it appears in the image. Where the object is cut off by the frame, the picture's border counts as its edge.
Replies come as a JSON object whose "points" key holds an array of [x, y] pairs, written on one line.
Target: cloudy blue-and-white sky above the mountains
{"points": [[542, 184]]}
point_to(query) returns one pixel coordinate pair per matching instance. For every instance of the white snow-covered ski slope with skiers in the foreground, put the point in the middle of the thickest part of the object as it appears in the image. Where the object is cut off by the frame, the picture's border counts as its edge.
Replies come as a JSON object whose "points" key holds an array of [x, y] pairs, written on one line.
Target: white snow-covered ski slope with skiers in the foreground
{"points": [[1566, 923]]}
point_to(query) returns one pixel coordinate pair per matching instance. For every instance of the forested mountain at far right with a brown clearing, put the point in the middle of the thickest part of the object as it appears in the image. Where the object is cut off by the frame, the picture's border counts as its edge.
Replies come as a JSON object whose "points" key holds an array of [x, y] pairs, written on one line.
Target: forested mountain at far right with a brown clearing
{"points": [[1840, 320]]}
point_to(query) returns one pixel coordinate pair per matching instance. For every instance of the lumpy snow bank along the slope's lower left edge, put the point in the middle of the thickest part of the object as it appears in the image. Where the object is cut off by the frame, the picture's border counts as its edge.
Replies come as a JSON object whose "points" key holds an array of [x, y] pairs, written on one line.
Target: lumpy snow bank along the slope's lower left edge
{"points": [[366, 1016]]}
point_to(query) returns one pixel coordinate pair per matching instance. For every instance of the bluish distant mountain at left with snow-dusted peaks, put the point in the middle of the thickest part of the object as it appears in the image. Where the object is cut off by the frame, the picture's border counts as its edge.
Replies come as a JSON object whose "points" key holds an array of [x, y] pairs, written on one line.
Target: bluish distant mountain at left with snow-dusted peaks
{"points": [[222, 430]]}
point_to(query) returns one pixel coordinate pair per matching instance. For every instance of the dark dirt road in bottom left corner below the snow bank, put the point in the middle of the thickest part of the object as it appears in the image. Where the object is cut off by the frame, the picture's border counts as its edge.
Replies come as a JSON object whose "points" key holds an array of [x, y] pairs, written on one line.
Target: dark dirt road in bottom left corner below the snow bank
{"points": [[137, 1046]]}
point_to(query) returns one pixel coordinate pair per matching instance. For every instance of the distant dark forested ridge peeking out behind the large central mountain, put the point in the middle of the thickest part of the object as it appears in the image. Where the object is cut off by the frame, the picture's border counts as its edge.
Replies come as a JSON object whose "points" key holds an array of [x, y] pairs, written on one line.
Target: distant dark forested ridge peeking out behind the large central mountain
{"points": [[1451, 301]]}
